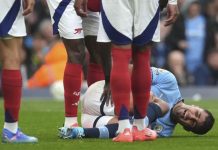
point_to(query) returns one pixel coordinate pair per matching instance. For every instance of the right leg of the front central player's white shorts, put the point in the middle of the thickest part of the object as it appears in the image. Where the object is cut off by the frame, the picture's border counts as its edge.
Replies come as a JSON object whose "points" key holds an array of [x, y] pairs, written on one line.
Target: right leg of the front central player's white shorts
{"points": [[146, 21]]}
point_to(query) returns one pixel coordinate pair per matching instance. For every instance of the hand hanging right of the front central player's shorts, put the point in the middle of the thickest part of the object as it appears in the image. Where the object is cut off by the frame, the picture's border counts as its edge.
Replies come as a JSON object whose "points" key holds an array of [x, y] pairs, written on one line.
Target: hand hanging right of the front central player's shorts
{"points": [[172, 14]]}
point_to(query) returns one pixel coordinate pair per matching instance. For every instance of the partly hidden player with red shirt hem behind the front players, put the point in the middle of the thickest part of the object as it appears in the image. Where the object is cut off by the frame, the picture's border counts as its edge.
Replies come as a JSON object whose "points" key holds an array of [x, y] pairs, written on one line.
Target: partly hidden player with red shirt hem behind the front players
{"points": [[99, 52]]}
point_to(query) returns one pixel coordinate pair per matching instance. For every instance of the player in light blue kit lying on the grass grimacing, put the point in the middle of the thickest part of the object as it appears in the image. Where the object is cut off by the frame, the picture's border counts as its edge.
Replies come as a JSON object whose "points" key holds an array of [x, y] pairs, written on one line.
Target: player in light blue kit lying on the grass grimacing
{"points": [[164, 88]]}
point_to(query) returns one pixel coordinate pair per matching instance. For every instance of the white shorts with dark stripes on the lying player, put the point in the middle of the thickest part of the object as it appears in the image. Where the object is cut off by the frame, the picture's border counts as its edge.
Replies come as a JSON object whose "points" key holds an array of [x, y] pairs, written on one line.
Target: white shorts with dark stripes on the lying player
{"points": [[94, 112]]}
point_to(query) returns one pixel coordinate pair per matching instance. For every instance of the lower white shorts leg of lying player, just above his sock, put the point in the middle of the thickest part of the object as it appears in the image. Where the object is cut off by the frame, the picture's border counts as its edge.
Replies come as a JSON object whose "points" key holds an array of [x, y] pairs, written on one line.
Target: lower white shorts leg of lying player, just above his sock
{"points": [[90, 121]]}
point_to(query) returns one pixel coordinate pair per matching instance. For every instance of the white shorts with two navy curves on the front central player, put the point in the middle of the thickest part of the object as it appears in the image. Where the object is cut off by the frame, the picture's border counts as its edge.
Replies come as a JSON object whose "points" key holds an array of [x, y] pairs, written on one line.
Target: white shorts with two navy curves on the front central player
{"points": [[125, 21]]}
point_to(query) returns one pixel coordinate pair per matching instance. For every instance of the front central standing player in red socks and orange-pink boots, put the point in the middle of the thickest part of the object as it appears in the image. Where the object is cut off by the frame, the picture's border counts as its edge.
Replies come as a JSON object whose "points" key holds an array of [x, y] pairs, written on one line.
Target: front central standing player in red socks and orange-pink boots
{"points": [[130, 25]]}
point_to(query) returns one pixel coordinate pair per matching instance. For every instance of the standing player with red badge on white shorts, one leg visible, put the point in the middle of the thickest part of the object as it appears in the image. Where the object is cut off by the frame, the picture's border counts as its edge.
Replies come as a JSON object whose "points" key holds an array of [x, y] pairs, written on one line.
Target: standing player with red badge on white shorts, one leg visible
{"points": [[68, 25]]}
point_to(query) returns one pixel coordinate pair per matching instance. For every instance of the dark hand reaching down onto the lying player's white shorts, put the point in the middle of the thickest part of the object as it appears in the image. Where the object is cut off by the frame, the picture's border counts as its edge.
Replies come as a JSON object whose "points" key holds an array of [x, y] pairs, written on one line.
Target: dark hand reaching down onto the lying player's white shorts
{"points": [[106, 95]]}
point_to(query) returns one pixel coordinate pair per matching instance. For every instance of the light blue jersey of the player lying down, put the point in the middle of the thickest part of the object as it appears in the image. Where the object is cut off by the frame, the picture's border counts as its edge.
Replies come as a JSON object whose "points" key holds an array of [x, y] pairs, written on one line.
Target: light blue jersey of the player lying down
{"points": [[164, 86]]}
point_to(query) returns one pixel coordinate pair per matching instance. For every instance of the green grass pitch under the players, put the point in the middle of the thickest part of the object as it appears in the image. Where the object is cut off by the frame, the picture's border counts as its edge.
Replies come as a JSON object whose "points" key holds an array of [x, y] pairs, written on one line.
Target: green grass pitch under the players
{"points": [[42, 118]]}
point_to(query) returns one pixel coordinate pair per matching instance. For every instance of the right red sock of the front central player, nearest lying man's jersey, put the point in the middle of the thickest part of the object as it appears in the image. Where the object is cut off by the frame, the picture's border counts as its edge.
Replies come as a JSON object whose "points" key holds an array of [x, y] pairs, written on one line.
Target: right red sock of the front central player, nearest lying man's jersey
{"points": [[141, 84]]}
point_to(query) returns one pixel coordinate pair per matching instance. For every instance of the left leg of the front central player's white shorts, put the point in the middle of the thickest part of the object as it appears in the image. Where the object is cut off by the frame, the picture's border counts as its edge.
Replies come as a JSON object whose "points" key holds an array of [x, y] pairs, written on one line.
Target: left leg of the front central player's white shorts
{"points": [[117, 24]]}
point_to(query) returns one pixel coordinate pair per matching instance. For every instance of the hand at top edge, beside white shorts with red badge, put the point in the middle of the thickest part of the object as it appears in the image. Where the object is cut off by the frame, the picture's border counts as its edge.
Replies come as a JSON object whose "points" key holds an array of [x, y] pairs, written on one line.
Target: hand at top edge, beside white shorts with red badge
{"points": [[81, 7]]}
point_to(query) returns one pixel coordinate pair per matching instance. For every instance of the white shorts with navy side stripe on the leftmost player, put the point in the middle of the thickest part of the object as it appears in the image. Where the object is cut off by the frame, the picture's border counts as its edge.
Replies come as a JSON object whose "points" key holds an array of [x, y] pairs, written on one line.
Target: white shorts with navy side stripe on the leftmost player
{"points": [[11, 19]]}
